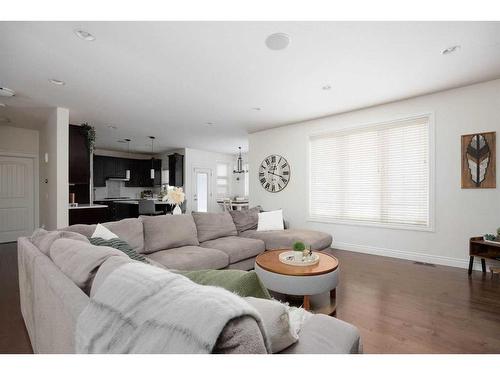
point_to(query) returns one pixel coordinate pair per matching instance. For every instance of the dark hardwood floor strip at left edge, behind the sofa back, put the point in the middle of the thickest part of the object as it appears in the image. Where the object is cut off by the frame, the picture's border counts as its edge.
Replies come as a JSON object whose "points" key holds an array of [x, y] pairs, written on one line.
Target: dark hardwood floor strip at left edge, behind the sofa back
{"points": [[13, 335]]}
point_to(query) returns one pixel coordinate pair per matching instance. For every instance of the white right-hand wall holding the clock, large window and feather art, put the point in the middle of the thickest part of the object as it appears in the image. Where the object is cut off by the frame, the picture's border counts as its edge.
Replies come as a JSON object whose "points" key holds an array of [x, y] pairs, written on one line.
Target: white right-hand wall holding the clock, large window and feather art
{"points": [[459, 213]]}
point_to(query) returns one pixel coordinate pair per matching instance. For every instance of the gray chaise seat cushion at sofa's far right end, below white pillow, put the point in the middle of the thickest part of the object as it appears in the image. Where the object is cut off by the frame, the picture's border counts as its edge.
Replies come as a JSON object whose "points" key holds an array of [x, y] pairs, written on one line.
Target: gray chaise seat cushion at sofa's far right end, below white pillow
{"points": [[284, 239]]}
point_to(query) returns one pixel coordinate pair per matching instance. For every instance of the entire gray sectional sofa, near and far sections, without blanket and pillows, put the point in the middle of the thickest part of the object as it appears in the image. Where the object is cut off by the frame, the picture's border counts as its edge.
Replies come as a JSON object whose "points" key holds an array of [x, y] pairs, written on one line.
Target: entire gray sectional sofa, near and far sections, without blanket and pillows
{"points": [[51, 302]]}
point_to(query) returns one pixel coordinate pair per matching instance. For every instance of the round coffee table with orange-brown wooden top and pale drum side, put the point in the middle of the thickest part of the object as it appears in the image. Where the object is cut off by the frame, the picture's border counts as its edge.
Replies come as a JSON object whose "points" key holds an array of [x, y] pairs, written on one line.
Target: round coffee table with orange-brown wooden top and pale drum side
{"points": [[298, 280]]}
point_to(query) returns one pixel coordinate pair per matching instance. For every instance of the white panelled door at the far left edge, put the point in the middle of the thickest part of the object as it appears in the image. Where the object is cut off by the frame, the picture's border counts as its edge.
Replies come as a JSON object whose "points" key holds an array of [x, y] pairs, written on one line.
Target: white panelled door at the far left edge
{"points": [[17, 200]]}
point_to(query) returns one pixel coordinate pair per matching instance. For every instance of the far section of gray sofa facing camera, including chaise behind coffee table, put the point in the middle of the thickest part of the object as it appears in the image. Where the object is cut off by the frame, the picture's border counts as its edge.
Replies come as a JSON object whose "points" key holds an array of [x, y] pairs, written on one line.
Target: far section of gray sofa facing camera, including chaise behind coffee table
{"points": [[203, 240]]}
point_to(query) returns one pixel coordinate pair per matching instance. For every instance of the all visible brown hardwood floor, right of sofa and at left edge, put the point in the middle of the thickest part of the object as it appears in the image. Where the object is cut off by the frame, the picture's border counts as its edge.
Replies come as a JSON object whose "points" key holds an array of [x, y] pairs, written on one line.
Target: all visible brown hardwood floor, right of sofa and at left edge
{"points": [[398, 306]]}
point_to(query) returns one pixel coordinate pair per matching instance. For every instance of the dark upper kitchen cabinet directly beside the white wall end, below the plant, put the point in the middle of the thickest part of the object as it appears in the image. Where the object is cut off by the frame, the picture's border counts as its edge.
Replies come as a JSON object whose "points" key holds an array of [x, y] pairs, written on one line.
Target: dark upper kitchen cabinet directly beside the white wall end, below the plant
{"points": [[79, 156]]}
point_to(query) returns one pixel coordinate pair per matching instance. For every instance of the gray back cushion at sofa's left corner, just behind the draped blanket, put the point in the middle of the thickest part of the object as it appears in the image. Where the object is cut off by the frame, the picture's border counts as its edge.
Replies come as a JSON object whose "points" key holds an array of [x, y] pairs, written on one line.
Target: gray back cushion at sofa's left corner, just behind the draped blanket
{"points": [[80, 260]]}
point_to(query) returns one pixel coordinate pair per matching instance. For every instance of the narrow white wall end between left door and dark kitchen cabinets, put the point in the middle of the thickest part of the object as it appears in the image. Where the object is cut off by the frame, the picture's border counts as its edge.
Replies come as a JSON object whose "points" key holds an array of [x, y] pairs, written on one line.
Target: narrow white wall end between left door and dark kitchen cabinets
{"points": [[54, 188]]}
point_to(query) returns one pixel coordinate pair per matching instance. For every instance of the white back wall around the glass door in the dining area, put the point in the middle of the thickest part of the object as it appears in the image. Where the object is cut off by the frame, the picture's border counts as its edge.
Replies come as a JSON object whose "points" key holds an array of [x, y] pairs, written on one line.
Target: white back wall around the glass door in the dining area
{"points": [[205, 159]]}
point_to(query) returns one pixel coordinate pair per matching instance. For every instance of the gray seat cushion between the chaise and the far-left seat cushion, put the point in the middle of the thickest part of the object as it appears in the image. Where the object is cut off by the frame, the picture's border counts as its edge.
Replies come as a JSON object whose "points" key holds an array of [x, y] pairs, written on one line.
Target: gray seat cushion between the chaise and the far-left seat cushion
{"points": [[237, 248]]}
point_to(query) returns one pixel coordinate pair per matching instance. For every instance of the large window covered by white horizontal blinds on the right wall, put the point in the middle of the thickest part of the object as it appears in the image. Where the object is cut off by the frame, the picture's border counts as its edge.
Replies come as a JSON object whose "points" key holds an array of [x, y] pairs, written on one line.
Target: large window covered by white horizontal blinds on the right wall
{"points": [[375, 175]]}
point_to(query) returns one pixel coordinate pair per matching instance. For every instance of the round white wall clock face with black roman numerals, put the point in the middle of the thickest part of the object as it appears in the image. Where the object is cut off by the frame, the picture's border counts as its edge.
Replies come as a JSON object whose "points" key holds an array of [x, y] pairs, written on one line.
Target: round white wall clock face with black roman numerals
{"points": [[274, 173]]}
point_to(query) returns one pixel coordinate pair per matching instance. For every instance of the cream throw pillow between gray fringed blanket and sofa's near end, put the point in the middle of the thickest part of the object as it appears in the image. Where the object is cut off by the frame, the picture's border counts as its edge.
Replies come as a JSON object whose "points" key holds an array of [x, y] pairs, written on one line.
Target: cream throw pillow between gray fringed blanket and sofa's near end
{"points": [[276, 322]]}
